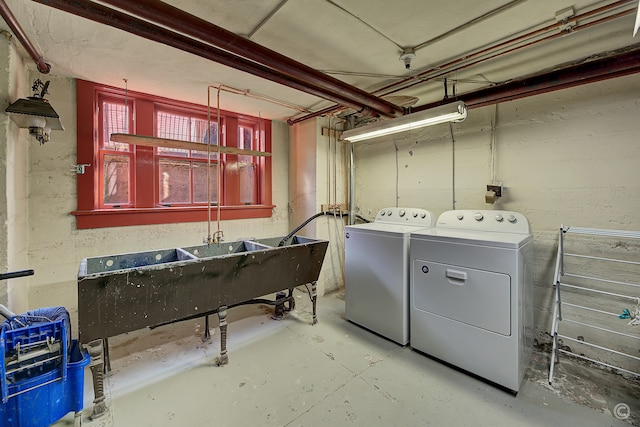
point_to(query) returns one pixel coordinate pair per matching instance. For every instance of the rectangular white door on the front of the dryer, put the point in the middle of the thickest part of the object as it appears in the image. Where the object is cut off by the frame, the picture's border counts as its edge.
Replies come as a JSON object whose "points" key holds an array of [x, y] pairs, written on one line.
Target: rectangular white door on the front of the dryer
{"points": [[475, 297]]}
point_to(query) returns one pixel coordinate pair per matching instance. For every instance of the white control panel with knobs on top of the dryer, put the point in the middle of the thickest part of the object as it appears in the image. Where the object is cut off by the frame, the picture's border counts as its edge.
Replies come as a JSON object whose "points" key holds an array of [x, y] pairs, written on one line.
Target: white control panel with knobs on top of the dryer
{"points": [[485, 220]]}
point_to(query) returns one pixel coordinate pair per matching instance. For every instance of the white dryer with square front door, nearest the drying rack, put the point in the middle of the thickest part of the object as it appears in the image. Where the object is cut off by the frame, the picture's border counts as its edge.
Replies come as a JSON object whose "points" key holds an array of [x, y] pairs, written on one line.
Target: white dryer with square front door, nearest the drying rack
{"points": [[472, 291]]}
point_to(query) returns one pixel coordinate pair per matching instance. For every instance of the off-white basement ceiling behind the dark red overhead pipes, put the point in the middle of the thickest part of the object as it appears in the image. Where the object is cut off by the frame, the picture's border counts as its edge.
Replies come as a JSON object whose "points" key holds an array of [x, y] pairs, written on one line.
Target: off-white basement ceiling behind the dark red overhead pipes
{"points": [[460, 46]]}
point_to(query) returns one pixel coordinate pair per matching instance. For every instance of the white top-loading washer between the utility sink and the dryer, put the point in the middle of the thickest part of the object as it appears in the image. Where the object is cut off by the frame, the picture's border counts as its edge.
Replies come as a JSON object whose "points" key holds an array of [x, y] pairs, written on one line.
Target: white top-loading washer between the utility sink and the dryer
{"points": [[377, 271]]}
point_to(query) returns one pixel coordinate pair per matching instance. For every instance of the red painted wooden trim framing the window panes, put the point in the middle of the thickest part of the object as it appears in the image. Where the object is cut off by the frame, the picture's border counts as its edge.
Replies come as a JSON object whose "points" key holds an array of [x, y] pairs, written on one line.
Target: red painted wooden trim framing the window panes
{"points": [[88, 213]]}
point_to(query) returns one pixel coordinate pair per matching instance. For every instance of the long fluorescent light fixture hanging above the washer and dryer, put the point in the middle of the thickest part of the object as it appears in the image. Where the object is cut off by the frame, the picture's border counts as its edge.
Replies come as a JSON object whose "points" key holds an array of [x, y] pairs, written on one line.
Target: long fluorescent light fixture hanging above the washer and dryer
{"points": [[454, 112]]}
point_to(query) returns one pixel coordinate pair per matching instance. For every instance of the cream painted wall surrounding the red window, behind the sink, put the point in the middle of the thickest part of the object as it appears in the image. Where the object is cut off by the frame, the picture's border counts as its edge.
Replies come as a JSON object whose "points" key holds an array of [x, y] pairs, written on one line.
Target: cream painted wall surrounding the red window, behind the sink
{"points": [[56, 246]]}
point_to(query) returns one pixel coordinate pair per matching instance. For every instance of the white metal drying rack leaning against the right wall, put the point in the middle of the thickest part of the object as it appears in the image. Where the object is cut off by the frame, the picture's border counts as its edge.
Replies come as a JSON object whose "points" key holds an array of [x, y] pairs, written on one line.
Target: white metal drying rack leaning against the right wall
{"points": [[558, 303]]}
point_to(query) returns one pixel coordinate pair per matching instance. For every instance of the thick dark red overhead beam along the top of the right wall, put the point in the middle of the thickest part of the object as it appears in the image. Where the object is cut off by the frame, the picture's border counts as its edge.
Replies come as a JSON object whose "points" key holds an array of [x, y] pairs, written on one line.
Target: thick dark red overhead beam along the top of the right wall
{"points": [[618, 65]]}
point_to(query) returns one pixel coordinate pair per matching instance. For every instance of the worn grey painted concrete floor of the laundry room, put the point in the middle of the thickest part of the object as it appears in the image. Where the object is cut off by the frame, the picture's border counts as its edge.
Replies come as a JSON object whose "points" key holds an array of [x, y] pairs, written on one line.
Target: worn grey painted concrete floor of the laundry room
{"points": [[289, 373]]}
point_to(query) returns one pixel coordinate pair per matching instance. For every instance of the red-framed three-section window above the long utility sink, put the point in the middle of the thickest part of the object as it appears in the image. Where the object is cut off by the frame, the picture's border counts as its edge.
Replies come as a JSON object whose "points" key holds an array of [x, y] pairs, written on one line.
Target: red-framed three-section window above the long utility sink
{"points": [[134, 185]]}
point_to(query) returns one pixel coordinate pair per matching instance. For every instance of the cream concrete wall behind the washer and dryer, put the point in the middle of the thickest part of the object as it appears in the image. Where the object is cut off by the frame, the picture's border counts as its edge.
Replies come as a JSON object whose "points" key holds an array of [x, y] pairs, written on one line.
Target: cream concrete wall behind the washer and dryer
{"points": [[570, 157]]}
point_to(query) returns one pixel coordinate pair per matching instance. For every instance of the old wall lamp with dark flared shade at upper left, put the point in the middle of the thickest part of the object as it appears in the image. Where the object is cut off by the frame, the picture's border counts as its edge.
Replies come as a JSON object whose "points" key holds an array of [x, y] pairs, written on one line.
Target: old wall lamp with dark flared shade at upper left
{"points": [[36, 114]]}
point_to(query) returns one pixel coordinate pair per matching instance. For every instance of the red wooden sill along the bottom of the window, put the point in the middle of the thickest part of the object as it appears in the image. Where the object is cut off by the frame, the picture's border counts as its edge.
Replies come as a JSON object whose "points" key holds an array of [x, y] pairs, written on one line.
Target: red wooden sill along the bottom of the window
{"points": [[121, 217]]}
